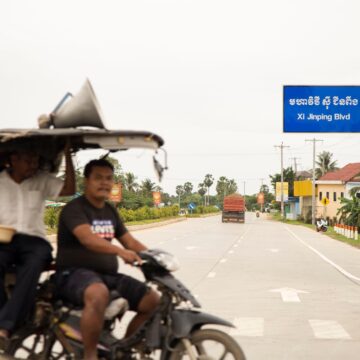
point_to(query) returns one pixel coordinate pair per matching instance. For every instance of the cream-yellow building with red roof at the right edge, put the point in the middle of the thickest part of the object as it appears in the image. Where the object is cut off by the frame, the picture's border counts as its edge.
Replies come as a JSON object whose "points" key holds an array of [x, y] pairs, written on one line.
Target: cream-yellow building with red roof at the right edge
{"points": [[333, 186]]}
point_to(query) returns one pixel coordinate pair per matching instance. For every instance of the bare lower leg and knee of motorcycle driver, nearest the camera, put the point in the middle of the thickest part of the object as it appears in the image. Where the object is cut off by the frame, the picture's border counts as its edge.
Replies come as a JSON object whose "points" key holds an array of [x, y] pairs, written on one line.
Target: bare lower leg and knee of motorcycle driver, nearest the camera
{"points": [[96, 299]]}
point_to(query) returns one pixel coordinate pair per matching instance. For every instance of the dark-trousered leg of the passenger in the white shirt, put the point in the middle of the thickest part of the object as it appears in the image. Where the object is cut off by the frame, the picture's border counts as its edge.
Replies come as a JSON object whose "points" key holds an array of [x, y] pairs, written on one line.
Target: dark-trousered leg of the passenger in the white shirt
{"points": [[31, 258]]}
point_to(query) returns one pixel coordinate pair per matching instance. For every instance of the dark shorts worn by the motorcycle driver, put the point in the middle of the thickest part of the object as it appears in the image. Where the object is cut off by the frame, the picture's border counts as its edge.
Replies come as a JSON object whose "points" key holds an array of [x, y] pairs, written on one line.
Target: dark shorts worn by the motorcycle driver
{"points": [[72, 284]]}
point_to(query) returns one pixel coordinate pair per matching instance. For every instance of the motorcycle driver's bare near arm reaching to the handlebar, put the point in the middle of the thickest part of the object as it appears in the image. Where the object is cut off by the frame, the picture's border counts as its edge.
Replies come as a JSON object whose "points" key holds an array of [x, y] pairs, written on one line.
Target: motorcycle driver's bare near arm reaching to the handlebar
{"points": [[95, 243]]}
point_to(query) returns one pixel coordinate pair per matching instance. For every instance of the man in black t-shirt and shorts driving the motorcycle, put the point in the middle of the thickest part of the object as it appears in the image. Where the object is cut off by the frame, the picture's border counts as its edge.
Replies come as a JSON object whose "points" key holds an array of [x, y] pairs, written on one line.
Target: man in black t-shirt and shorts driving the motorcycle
{"points": [[87, 261]]}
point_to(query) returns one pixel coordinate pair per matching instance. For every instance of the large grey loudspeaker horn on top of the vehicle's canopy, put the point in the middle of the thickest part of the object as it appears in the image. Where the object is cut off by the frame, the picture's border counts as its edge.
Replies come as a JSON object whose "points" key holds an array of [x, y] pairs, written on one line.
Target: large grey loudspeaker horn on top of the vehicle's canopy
{"points": [[82, 109]]}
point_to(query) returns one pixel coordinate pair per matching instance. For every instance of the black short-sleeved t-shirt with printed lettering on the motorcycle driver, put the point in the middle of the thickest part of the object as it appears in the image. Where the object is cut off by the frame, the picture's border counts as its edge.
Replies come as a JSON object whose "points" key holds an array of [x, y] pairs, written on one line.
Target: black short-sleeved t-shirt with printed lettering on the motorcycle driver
{"points": [[105, 222]]}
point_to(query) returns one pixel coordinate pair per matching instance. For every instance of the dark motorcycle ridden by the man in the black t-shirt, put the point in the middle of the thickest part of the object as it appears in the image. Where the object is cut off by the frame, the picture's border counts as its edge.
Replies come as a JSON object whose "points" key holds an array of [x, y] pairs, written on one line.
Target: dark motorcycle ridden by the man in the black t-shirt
{"points": [[177, 329]]}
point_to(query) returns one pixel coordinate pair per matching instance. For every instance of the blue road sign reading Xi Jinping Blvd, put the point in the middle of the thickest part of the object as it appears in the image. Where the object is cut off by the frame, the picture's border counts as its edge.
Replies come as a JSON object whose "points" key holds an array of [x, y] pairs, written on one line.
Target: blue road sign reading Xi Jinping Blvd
{"points": [[321, 108]]}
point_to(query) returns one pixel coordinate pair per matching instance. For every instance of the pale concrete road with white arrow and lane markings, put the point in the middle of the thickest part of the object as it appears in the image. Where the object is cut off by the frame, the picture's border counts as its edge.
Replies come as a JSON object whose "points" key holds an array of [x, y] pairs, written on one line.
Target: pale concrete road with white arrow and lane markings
{"points": [[293, 293]]}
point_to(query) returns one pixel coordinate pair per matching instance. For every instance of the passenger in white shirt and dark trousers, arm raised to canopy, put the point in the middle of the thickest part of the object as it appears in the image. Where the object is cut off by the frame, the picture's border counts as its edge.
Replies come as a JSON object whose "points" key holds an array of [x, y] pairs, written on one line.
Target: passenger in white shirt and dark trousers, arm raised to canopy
{"points": [[23, 190]]}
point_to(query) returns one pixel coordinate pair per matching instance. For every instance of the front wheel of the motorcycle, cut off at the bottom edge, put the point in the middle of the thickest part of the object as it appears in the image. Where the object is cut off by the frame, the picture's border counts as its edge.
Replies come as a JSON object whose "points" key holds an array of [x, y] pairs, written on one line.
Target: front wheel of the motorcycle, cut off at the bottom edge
{"points": [[209, 344]]}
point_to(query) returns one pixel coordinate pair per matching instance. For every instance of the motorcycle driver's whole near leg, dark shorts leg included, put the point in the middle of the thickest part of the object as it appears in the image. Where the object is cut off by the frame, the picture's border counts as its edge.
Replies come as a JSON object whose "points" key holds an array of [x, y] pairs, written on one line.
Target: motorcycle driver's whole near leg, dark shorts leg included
{"points": [[85, 287]]}
